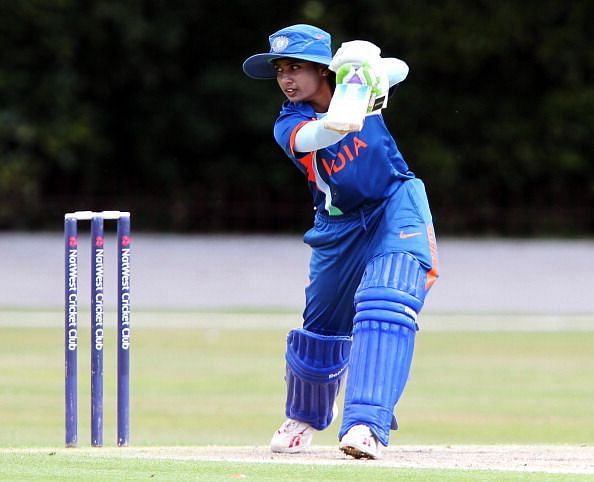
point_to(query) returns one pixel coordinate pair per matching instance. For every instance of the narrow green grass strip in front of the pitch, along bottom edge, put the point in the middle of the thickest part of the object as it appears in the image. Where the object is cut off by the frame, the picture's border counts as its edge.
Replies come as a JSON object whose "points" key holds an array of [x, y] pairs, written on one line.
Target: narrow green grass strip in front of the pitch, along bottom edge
{"points": [[35, 467]]}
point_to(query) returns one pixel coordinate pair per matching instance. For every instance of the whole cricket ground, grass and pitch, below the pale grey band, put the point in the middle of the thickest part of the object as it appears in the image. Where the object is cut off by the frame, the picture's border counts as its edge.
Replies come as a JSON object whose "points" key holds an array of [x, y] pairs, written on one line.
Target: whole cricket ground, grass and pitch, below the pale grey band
{"points": [[203, 379]]}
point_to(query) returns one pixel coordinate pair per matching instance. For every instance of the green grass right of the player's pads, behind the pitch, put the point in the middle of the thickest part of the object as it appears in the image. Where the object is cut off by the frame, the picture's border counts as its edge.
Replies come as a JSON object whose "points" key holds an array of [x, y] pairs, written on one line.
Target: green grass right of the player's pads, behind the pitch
{"points": [[503, 387]]}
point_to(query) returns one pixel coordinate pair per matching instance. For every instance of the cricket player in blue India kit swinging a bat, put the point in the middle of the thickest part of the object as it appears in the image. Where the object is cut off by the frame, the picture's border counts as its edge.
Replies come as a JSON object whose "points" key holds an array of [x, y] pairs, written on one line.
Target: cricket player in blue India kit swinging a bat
{"points": [[374, 255]]}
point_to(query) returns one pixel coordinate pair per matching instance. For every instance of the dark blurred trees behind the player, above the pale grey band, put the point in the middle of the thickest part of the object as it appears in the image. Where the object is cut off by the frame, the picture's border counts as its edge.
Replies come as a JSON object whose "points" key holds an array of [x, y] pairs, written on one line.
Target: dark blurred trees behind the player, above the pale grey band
{"points": [[141, 105]]}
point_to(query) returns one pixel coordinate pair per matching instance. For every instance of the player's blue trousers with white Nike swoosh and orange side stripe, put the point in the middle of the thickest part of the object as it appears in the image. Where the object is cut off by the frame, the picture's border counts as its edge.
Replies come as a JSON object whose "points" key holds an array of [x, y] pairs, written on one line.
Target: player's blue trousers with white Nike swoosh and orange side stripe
{"points": [[343, 245]]}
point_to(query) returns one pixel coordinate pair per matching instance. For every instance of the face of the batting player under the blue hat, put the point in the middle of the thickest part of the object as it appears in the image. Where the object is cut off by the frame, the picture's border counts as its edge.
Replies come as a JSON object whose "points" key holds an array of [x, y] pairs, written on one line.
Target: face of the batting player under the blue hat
{"points": [[303, 81]]}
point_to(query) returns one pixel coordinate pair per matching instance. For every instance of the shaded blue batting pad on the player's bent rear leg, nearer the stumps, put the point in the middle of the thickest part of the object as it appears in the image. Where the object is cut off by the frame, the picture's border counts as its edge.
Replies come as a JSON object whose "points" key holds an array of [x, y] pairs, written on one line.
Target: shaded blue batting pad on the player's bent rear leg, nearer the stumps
{"points": [[316, 365]]}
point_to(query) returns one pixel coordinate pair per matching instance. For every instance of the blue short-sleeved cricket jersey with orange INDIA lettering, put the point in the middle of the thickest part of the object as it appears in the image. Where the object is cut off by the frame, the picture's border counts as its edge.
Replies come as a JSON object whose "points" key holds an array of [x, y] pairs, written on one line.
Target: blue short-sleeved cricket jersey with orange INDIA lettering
{"points": [[364, 167]]}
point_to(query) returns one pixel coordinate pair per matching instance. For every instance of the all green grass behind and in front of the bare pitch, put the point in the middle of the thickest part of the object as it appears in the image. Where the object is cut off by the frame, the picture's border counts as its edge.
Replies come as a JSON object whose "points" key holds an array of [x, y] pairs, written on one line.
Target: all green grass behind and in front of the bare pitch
{"points": [[210, 386]]}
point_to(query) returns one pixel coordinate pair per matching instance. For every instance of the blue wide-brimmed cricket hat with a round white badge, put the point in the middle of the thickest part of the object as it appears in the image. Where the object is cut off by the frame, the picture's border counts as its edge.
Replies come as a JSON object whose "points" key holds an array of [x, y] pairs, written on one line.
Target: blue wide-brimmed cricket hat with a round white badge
{"points": [[301, 41]]}
